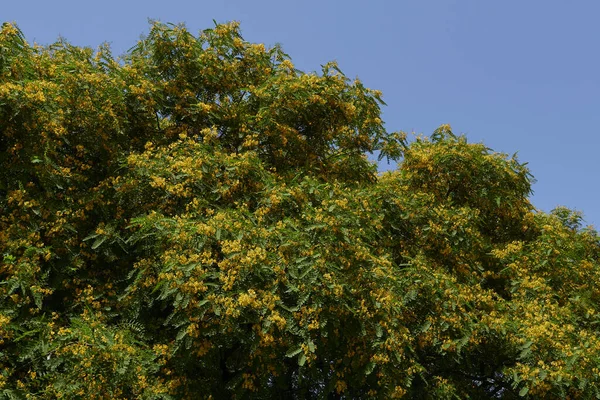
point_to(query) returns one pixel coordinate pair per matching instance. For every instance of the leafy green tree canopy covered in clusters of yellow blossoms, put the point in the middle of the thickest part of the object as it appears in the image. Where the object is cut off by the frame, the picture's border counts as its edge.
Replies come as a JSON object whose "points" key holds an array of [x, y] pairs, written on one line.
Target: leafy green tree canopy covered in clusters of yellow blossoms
{"points": [[198, 219]]}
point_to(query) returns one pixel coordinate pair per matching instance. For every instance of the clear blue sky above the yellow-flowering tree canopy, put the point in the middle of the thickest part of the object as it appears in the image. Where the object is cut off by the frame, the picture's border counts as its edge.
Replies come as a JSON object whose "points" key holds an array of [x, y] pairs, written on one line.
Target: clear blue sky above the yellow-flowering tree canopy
{"points": [[521, 76]]}
